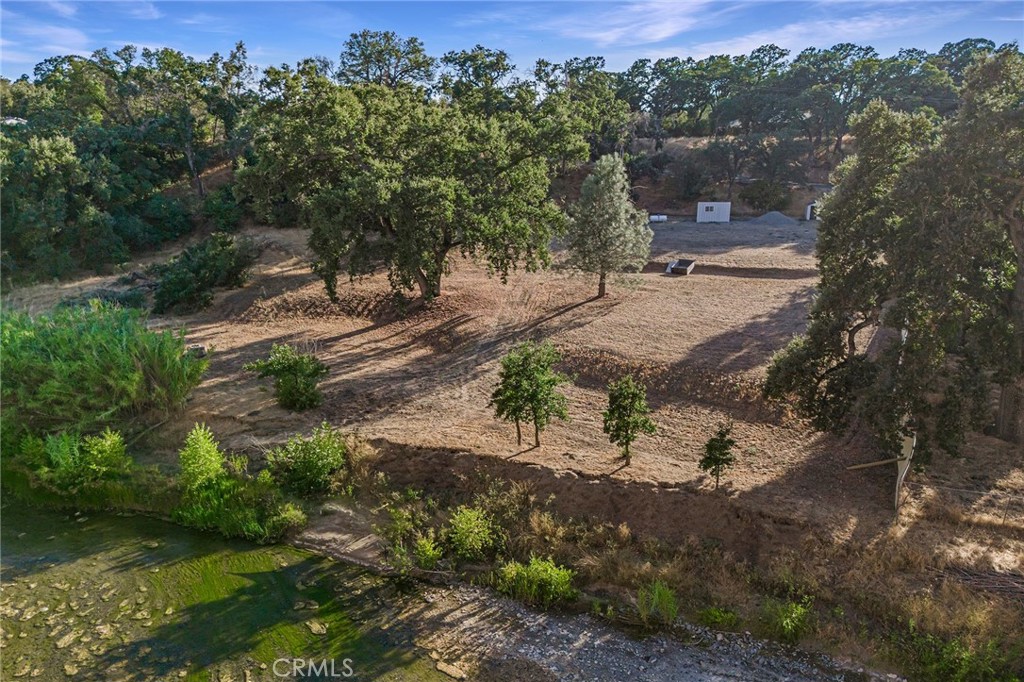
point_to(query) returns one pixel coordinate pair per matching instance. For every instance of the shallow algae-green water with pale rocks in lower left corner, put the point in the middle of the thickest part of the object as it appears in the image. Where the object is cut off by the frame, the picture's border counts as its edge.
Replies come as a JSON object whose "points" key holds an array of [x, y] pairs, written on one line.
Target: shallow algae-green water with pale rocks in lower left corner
{"points": [[114, 598]]}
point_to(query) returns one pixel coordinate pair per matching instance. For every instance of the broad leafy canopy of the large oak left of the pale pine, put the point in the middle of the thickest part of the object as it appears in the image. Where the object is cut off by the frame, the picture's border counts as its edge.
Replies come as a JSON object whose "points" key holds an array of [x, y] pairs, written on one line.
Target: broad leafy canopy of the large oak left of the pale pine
{"points": [[388, 178]]}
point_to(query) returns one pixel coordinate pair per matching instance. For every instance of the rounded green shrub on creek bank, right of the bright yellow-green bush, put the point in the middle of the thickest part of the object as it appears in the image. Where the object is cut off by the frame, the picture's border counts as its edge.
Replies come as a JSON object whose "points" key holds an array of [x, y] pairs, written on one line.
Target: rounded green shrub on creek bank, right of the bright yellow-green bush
{"points": [[310, 466]]}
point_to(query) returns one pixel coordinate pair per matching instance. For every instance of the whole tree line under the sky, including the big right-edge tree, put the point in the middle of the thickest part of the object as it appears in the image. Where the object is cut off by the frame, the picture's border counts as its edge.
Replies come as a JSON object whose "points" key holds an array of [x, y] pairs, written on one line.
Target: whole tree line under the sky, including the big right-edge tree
{"points": [[398, 159]]}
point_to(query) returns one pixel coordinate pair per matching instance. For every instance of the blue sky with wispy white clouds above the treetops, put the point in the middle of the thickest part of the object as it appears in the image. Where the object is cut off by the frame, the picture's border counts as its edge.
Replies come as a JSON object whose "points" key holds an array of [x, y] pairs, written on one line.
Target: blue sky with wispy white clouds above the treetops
{"points": [[285, 32]]}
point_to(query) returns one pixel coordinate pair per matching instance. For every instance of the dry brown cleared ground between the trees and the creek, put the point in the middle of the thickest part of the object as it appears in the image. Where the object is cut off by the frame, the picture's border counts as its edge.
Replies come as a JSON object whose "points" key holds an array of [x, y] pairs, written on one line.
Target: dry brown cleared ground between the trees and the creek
{"points": [[417, 385]]}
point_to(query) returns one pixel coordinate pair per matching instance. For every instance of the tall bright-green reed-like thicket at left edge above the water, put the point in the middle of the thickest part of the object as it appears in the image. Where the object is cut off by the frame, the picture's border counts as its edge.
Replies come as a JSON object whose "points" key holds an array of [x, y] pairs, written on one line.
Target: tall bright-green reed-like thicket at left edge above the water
{"points": [[80, 370]]}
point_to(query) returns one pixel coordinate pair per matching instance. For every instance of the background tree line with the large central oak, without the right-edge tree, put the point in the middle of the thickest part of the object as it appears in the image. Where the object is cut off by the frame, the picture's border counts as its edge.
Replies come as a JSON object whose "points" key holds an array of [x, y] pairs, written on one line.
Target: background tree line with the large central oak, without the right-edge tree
{"points": [[90, 144]]}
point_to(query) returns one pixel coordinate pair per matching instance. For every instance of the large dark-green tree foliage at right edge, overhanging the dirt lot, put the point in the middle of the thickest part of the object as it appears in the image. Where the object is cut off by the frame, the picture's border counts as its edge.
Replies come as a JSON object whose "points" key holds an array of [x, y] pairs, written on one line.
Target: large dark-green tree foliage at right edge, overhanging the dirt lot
{"points": [[923, 244]]}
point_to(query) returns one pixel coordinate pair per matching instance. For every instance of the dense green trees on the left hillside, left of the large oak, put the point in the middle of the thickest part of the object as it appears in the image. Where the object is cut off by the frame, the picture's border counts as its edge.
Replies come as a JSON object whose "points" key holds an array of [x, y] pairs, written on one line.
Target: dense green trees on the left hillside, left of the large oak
{"points": [[90, 143]]}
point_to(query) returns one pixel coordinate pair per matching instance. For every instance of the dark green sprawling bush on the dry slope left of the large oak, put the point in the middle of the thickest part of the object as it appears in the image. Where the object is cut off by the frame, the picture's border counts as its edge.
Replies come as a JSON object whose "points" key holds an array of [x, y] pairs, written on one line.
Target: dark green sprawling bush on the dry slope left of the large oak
{"points": [[186, 283]]}
